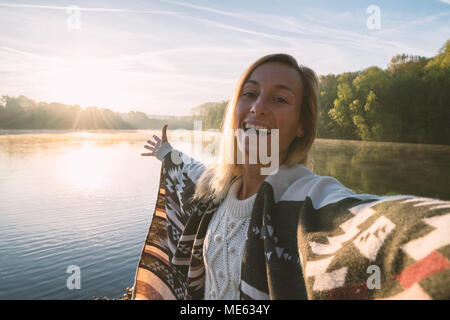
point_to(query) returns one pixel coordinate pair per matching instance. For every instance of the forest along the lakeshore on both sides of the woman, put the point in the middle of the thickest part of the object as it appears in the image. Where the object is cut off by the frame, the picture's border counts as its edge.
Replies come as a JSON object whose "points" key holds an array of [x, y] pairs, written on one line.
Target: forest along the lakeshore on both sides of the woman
{"points": [[409, 101]]}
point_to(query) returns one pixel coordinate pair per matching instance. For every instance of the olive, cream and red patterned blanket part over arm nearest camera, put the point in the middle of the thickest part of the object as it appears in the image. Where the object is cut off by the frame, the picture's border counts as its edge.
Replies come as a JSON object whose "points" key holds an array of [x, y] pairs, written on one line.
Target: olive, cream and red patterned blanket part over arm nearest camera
{"points": [[407, 238]]}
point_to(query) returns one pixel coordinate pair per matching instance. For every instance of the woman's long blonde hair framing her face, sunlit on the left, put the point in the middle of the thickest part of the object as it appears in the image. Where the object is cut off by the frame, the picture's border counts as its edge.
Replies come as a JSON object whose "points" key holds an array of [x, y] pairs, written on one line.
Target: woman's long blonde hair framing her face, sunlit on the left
{"points": [[216, 179]]}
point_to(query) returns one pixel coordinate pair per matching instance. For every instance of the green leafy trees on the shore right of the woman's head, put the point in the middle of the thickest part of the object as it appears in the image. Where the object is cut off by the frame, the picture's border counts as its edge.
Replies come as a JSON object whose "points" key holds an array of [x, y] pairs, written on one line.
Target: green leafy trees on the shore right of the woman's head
{"points": [[409, 101]]}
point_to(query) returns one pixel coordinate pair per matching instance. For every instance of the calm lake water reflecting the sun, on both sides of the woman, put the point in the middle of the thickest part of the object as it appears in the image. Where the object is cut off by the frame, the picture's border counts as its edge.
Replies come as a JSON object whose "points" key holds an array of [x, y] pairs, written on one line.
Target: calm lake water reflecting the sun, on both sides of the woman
{"points": [[86, 199]]}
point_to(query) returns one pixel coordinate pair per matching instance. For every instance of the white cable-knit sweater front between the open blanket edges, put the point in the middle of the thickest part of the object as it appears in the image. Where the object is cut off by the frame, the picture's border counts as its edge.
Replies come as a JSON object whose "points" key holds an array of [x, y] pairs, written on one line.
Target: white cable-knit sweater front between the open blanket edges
{"points": [[224, 245]]}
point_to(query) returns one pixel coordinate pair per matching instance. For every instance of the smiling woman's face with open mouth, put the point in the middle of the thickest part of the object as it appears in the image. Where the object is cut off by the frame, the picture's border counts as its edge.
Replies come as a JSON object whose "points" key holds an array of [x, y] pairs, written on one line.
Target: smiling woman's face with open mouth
{"points": [[271, 97]]}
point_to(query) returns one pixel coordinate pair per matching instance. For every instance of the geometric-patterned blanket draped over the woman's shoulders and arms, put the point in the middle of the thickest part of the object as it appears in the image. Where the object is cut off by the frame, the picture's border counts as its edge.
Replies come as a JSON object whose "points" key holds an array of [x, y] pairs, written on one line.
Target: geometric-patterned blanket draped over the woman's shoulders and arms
{"points": [[309, 238]]}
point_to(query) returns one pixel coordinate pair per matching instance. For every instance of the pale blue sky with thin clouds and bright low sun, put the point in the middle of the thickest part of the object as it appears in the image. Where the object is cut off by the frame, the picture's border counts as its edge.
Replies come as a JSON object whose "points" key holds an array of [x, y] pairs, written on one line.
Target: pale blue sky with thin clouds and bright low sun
{"points": [[167, 56]]}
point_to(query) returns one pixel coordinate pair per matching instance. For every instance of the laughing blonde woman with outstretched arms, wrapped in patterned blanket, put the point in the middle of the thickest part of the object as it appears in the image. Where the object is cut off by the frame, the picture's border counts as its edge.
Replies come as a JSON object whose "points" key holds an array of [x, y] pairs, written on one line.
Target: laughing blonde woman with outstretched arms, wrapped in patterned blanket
{"points": [[234, 231]]}
